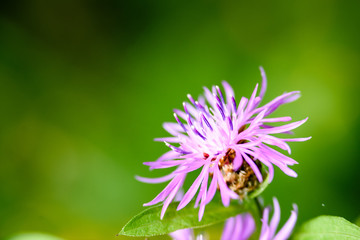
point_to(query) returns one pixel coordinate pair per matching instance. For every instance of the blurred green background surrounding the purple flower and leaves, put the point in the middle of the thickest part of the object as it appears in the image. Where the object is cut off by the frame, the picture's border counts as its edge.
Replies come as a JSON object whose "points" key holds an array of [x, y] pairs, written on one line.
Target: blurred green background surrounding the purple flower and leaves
{"points": [[86, 85]]}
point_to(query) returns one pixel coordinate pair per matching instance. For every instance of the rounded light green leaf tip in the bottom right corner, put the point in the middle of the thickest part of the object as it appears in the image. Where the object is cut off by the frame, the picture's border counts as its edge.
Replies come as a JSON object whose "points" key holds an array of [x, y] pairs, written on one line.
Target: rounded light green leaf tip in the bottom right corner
{"points": [[328, 227]]}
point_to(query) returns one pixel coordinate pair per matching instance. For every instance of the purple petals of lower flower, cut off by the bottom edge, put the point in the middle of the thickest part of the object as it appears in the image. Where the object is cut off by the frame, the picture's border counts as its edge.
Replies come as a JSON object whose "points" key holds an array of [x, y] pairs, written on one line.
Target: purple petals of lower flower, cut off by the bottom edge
{"points": [[242, 226]]}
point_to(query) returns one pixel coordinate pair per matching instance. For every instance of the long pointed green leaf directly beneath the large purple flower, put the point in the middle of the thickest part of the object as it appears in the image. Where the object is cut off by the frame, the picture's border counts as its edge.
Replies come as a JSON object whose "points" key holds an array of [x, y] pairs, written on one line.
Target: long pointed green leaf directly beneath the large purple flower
{"points": [[148, 223]]}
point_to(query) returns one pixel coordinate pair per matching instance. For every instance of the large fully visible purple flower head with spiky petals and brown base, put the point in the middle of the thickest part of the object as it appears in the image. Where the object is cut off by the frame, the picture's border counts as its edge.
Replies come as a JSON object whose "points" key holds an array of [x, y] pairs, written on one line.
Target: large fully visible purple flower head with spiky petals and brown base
{"points": [[228, 141]]}
